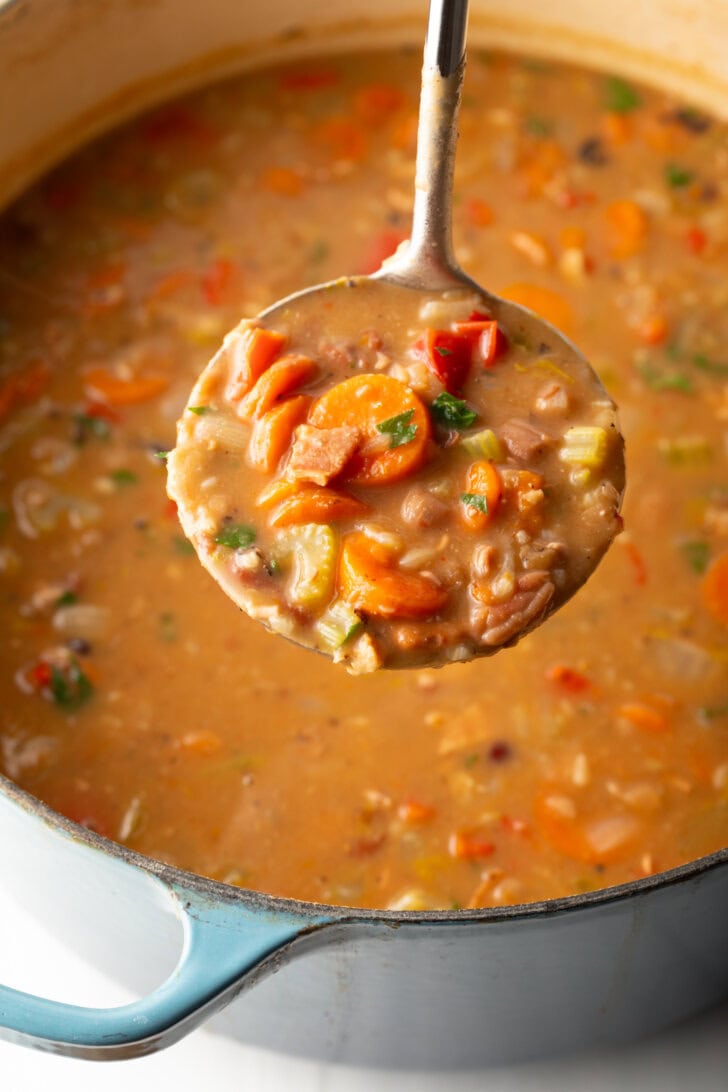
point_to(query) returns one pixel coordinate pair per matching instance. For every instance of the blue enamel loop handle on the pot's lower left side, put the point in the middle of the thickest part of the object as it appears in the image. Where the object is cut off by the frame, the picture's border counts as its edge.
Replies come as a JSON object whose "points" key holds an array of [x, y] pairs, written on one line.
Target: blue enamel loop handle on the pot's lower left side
{"points": [[223, 945]]}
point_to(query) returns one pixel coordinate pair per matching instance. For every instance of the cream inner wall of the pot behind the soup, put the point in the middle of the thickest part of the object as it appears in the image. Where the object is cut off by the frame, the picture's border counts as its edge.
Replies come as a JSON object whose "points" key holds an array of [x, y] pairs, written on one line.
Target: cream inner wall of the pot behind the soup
{"points": [[70, 68]]}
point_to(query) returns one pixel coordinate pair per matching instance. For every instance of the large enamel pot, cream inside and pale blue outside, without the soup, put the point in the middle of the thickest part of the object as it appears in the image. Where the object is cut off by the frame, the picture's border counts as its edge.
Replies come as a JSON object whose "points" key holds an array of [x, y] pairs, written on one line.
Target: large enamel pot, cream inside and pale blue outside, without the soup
{"points": [[361, 987]]}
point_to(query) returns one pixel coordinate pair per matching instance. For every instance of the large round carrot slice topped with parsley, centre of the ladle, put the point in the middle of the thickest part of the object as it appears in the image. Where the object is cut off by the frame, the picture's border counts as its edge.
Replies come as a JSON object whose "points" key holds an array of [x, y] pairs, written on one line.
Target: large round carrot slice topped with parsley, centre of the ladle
{"points": [[366, 402]]}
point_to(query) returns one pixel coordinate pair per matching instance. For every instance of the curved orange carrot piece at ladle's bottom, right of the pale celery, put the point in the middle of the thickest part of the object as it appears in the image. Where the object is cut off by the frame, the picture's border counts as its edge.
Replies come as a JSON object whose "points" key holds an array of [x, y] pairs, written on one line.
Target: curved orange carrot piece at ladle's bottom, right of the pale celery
{"points": [[371, 581]]}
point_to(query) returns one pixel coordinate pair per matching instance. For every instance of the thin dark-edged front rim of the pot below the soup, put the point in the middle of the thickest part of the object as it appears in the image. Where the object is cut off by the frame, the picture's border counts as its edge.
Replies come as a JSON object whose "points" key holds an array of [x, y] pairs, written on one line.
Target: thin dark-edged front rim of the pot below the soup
{"points": [[216, 891]]}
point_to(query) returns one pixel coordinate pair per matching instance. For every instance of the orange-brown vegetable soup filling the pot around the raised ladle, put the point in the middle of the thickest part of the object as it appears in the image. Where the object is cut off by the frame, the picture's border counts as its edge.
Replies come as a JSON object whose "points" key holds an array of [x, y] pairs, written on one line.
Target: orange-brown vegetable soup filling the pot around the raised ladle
{"points": [[134, 695]]}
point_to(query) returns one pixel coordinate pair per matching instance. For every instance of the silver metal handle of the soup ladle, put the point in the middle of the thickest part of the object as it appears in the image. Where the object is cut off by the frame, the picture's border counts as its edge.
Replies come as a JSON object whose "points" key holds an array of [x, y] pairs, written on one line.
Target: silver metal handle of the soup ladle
{"points": [[431, 253]]}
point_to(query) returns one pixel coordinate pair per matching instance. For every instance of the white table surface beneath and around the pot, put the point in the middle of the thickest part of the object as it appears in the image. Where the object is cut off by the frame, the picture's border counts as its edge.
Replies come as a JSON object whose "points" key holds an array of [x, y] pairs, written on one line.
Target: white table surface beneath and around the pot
{"points": [[691, 1059]]}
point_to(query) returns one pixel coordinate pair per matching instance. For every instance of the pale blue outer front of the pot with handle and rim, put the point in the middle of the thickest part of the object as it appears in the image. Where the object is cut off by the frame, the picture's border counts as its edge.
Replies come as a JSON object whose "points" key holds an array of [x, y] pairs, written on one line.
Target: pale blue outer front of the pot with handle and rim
{"points": [[426, 990]]}
